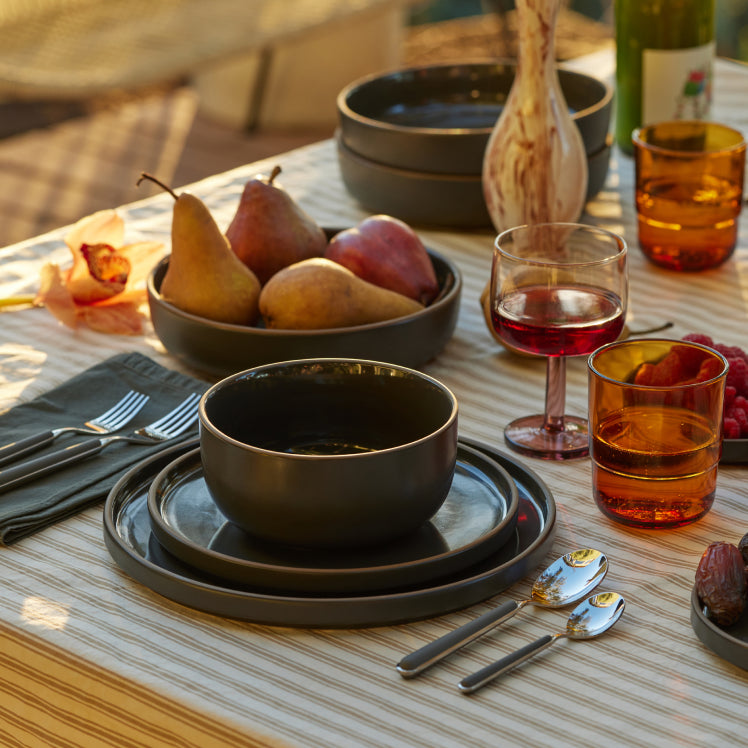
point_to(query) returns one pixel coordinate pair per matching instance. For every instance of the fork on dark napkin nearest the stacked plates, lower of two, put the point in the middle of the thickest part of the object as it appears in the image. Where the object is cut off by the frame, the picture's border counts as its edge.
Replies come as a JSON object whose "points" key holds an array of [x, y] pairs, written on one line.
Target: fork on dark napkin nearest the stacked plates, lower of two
{"points": [[174, 423]]}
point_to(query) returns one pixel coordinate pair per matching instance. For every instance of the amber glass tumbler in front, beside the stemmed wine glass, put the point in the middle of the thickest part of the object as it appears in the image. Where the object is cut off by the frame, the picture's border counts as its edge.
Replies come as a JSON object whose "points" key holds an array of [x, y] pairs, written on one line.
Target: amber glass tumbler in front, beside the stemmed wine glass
{"points": [[655, 447]]}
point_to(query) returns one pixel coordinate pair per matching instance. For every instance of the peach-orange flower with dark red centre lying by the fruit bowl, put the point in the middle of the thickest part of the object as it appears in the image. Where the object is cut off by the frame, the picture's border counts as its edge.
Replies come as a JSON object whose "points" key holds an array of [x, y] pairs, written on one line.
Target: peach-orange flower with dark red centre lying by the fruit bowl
{"points": [[104, 287]]}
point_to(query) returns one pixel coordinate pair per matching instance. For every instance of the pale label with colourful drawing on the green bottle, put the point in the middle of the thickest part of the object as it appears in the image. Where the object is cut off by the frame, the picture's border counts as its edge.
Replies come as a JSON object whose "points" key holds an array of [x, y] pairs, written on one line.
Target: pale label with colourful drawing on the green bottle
{"points": [[677, 83]]}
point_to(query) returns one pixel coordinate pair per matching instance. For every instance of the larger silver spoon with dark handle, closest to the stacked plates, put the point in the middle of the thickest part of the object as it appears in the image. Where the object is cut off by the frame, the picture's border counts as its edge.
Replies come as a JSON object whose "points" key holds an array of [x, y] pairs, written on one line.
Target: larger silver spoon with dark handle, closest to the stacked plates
{"points": [[565, 581]]}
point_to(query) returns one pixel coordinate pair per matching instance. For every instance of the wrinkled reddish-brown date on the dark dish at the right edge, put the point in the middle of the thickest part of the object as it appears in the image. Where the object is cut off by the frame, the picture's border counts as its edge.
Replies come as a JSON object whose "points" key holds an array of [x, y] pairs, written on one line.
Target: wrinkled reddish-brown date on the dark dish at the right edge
{"points": [[720, 582]]}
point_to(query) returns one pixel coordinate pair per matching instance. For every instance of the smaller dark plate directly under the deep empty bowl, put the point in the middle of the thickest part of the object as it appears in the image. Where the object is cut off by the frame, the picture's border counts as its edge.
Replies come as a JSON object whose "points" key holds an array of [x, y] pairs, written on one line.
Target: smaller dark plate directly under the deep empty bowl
{"points": [[478, 516]]}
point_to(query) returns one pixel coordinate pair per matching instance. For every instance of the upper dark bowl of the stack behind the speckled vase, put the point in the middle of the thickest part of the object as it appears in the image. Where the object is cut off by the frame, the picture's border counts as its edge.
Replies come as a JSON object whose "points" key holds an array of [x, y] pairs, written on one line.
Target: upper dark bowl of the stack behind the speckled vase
{"points": [[438, 118]]}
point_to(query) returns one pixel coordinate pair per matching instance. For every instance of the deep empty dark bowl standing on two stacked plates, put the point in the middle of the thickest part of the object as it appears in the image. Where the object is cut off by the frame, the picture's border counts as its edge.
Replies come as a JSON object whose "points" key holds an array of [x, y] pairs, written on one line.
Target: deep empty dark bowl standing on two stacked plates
{"points": [[328, 452]]}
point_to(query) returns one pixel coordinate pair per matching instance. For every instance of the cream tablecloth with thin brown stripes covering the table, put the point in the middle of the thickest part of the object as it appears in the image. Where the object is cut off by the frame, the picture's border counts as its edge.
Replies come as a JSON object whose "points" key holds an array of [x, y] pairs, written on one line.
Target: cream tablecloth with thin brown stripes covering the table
{"points": [[90, 657]]}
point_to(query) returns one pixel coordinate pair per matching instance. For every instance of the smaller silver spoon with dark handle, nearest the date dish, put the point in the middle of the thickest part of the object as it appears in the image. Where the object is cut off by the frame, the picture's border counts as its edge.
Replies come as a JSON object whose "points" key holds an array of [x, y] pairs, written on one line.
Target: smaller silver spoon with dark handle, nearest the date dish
{"points": [[589, 619]]}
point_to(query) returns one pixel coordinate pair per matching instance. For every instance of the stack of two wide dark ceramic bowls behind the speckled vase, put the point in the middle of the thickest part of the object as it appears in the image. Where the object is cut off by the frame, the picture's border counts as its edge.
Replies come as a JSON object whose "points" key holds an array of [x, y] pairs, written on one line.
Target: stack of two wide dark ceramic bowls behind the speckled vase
{"points": [[411, 142]]}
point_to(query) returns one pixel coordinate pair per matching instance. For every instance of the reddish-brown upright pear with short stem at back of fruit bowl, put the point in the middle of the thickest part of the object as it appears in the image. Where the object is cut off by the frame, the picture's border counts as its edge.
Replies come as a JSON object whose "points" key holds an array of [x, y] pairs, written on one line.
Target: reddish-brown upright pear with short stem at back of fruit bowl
{"points": [[270, 231]]}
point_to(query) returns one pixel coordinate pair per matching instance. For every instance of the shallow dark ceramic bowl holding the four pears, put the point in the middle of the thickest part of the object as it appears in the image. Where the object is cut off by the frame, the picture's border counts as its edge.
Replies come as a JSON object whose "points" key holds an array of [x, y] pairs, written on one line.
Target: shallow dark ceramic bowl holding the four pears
{"points": [[220, 349]]}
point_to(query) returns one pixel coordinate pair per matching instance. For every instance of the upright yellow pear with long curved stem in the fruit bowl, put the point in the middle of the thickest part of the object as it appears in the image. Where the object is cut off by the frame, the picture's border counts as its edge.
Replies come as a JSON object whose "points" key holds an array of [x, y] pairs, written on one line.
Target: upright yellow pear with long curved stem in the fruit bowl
{"points": [[204, 276]]}
